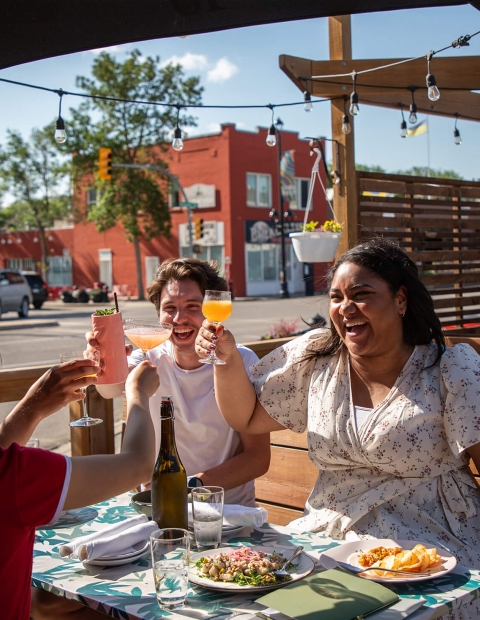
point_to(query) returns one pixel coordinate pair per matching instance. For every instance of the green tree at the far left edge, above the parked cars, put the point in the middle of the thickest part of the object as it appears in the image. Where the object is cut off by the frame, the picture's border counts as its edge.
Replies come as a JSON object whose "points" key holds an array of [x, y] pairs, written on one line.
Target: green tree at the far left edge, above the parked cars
{"points": [[32, 172]]}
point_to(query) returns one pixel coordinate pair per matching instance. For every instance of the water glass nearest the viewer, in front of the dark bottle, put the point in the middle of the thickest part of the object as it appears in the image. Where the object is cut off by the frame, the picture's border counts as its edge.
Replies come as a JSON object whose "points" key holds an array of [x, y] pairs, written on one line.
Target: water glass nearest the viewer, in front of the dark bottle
{"points": [[170, 559]]}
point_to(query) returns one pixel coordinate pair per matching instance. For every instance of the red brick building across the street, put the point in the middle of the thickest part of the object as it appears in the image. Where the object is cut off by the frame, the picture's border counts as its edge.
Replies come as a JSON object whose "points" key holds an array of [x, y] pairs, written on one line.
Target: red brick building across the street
{"points": [[233, 177]]}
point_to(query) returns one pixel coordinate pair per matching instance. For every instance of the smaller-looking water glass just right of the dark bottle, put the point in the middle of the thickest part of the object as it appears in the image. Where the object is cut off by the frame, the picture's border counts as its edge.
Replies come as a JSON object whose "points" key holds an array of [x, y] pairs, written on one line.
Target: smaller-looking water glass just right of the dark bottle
{"points": [[207, 505]]}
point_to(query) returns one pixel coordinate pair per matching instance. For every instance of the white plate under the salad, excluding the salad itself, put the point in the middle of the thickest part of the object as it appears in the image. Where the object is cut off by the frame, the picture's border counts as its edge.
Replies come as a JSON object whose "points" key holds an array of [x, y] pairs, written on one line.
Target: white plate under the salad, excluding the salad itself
{"points": [[305, 566]]}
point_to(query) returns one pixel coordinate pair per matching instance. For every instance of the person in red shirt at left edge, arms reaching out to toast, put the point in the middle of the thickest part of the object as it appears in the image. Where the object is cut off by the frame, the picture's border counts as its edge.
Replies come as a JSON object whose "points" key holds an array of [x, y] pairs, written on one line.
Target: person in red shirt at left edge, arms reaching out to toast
{"points": [[35, 485]]}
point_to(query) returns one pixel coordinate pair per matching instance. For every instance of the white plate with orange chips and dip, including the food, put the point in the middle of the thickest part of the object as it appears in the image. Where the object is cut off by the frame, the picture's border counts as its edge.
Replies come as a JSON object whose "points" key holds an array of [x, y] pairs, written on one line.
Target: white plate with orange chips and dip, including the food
{"points": [[405, 555]]}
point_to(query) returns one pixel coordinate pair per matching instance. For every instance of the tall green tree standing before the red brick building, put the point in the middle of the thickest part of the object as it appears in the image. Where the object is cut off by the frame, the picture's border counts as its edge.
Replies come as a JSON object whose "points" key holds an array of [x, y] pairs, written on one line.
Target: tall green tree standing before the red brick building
{"points": [[137, 134]]}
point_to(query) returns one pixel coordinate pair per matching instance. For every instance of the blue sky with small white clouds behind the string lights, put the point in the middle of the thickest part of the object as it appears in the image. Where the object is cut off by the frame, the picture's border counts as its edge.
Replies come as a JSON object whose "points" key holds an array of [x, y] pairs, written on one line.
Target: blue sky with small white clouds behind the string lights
{"points": [[241, 67]]}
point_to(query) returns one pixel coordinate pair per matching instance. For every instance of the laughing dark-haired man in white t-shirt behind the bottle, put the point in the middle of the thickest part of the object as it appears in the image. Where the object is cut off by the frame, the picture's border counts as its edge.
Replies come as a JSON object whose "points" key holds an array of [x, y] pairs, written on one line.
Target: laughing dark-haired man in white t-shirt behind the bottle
{"points": [[210, 450]]}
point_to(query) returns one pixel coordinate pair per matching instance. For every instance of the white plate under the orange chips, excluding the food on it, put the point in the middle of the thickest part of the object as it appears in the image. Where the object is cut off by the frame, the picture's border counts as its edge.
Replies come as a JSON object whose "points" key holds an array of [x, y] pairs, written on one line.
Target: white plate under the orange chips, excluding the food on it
{"points": [[349, 552]]}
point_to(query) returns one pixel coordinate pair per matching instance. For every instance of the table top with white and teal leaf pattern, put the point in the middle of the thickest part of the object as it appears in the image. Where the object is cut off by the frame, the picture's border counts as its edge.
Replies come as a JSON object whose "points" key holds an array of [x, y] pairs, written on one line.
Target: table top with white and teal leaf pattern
{"points": [[128, 592]]}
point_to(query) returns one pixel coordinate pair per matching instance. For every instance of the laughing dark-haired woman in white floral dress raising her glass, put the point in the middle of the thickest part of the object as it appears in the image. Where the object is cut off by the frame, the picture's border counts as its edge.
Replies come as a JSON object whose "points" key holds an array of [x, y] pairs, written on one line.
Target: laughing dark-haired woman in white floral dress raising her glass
{"points": [[393, 416]]}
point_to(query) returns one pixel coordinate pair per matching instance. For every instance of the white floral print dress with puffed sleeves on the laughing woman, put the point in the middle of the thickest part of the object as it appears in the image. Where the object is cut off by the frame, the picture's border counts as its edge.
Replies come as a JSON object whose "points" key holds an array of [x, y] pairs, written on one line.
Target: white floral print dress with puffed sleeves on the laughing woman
{"points": [[403, 474]]}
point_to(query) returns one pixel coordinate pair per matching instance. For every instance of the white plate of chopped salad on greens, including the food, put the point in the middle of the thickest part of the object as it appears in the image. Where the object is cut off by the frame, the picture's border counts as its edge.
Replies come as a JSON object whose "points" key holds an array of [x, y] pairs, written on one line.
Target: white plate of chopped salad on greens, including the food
{"points": [[246, 568]]}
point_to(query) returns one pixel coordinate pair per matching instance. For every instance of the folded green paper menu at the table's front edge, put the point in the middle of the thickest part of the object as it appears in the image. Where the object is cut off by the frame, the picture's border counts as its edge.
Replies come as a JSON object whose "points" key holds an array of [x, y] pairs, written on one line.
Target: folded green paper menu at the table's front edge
{"points": [[330, 595]]}
